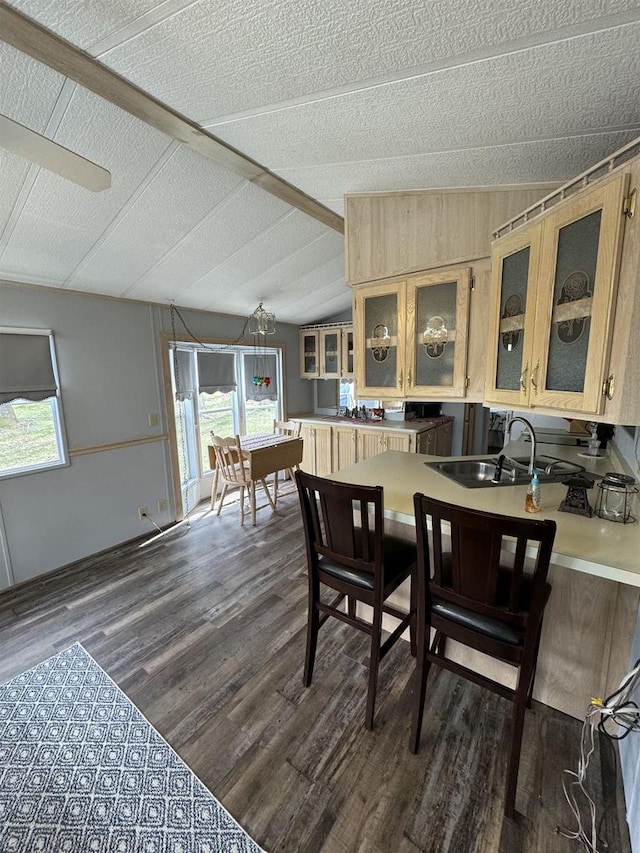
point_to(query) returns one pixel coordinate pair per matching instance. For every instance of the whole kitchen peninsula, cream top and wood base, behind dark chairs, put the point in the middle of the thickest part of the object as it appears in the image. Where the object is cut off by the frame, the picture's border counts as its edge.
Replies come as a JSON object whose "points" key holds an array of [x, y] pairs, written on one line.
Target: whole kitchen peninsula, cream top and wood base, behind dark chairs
{"points": [[595, 573]]}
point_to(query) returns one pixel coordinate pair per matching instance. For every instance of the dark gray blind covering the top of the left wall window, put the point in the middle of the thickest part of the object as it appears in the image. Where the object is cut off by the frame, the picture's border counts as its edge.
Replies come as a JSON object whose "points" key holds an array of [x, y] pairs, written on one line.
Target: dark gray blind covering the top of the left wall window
{"points": [[26, 368]]}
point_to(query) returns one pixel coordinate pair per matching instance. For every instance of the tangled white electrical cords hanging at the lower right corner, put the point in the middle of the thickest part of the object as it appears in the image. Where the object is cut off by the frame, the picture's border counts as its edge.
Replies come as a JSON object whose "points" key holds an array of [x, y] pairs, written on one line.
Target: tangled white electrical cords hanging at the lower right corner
{"points": [[619, 709]]}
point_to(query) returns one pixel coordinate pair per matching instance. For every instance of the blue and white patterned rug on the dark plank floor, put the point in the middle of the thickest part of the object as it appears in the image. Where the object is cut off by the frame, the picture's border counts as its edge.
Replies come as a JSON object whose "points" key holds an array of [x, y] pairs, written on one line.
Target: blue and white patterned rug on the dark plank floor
{"points": [[82, 771]]}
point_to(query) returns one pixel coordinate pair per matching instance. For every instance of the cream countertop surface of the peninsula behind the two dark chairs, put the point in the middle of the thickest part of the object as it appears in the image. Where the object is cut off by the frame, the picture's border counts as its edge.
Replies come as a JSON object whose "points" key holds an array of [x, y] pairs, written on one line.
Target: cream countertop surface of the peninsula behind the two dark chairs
{"points": [[590, 545]]}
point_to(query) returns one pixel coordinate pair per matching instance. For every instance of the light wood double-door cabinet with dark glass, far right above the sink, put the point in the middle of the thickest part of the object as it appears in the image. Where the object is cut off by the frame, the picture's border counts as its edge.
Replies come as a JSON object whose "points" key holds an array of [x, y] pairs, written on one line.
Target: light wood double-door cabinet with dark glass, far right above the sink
{"points": [[553, 302]]}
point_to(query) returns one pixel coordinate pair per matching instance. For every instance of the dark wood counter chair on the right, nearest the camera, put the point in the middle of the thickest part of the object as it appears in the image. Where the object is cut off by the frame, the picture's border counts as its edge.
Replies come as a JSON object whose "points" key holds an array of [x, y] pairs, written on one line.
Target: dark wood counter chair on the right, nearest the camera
{"points": [[473, 587]]}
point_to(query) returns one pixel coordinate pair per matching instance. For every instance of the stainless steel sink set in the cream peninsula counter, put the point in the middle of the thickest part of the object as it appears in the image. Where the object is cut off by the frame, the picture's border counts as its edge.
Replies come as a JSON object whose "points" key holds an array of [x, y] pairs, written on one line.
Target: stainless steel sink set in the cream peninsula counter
{"points": [[479, 473]]}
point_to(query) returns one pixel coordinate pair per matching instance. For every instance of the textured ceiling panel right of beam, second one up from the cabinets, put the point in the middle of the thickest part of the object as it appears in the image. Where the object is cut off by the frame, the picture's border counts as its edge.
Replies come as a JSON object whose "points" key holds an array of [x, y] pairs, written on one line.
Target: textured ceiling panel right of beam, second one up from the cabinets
{"points": [[584, 85]]}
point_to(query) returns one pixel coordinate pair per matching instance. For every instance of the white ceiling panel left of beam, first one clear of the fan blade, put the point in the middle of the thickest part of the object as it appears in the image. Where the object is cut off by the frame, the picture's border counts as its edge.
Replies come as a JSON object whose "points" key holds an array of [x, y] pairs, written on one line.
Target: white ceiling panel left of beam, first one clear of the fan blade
{"points": [[168, 207]]}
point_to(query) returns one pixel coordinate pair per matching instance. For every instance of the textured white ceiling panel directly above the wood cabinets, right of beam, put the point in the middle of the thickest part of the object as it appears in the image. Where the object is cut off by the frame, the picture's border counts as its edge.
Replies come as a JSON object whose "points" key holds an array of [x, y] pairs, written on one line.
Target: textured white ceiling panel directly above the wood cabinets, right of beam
{"points": [[555, 161]]}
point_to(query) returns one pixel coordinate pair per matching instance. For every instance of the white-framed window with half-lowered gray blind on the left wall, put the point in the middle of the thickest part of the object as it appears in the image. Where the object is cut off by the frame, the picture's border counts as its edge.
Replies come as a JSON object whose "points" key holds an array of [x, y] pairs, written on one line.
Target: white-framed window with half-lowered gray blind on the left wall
{"points": [[31, 431]]}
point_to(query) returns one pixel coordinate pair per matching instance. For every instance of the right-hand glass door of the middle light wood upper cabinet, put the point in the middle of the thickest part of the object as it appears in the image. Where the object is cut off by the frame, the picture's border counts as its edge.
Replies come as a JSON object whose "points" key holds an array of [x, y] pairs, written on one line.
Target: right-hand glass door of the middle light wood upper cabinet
{"points": [[437, 327]]}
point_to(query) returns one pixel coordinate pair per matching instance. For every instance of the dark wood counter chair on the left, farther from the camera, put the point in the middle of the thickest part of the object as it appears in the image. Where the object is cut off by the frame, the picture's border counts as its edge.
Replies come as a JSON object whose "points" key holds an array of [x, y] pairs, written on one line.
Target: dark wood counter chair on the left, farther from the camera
{"points": [[349, 552]]}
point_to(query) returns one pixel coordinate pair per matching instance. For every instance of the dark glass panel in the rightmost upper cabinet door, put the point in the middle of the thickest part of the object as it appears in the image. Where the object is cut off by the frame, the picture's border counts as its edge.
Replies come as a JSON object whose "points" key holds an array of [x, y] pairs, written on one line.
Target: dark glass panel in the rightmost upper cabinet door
{"points": [[576, 262]]}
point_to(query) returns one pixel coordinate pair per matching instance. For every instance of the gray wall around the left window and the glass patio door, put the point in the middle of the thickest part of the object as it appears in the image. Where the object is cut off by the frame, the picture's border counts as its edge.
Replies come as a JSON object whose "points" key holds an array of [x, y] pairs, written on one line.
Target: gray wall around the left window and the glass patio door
{"points": [[108, 355]]}
